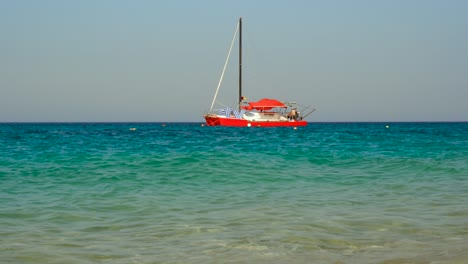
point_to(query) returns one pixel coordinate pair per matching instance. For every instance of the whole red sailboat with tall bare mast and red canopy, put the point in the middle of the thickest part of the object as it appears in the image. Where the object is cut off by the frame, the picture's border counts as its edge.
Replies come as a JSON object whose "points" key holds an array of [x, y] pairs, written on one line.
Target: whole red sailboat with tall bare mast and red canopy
{"points": [[266, 112]]}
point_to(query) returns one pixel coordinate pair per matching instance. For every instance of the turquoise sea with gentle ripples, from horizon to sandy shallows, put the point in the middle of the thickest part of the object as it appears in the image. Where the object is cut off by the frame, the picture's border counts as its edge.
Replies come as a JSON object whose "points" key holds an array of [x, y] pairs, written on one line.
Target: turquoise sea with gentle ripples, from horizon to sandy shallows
{"points": [[187, 193]]}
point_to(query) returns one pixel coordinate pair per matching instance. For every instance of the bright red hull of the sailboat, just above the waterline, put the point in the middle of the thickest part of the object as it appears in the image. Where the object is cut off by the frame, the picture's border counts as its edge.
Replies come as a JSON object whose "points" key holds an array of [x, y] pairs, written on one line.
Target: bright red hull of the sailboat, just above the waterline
{"points": [[234, 122]]}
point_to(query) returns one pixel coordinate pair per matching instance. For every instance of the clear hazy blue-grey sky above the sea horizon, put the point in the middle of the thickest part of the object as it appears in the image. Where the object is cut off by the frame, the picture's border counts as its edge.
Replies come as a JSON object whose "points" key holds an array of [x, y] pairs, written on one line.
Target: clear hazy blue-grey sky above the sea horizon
{"points": [[160, 61]]}
